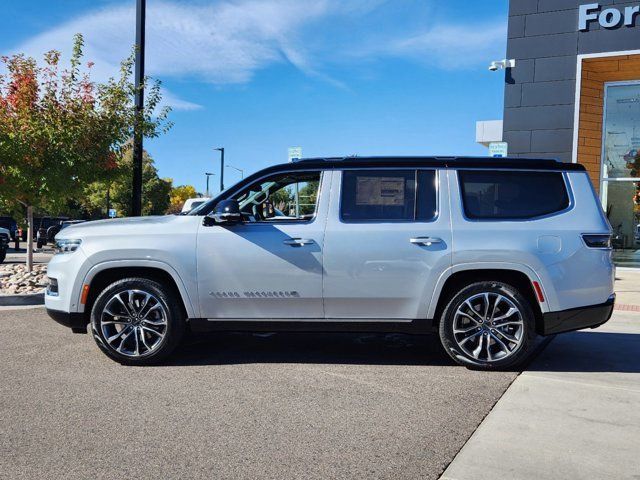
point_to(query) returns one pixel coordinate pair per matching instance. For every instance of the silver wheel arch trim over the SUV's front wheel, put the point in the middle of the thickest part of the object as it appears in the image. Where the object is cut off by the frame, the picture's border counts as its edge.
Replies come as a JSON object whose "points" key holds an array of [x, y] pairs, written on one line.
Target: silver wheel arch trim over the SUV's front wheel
{"points": [[106, 273]]}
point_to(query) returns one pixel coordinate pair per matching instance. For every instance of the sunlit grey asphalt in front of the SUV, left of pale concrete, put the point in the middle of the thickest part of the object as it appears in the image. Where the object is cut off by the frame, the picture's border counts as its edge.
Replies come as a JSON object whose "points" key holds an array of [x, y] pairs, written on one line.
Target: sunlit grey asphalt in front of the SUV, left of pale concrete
{"points": [[234, 406]]}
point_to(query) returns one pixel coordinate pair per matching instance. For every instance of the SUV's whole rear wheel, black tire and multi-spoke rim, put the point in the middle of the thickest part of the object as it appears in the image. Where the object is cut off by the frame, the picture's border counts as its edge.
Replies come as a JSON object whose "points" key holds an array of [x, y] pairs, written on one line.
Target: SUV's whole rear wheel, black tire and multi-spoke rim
{"points": [[488, 325]]}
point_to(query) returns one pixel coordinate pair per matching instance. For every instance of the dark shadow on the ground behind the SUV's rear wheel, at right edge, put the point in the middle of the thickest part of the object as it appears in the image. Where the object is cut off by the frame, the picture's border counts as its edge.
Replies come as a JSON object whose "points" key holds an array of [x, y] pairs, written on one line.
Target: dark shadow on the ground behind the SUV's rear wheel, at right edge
{"points": [[591, 351]]}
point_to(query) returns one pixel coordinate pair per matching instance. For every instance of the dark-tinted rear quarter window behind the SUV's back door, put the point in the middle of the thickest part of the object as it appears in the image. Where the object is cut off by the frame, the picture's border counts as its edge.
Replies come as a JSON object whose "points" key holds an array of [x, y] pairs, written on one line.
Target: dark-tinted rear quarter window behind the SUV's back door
{"points": [[512, 195]]}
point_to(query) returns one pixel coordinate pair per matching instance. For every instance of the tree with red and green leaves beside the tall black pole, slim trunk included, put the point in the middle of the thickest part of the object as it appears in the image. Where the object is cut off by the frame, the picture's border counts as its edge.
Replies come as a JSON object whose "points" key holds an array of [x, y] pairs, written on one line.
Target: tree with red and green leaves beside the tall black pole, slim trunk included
{"points": [[60, 131]]}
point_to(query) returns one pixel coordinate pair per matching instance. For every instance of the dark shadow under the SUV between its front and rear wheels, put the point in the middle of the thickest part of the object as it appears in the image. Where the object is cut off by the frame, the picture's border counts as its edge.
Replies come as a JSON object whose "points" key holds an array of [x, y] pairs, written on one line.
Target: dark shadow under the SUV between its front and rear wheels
{"points": [[226, 348]]}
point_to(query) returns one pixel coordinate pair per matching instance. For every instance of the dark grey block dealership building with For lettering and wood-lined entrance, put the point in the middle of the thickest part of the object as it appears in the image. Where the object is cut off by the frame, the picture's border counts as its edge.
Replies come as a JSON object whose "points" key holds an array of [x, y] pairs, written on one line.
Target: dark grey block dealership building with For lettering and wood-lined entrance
{"points": [[573, 93]]}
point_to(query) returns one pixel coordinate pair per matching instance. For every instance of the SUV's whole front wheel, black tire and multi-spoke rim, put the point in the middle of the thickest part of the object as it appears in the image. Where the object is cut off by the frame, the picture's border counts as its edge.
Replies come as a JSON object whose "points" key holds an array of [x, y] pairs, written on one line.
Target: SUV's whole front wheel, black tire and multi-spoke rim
{"points": [[137, 321]]}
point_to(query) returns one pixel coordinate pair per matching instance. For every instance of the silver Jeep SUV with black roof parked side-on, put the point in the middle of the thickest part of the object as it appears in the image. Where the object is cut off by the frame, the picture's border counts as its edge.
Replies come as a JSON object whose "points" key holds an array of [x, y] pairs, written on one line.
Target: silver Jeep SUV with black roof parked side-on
{"points": [[488, 253]]}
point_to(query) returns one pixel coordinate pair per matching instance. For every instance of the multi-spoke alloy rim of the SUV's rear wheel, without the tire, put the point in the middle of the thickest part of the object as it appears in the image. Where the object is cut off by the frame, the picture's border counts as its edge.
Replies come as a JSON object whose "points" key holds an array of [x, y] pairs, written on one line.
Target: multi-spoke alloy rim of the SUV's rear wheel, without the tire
{"points": [[488, 327]]}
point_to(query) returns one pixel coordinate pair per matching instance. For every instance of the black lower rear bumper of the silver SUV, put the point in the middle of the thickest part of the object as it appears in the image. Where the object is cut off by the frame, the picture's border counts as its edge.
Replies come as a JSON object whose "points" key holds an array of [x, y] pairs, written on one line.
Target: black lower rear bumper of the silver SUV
{"points": [[577, 318]]}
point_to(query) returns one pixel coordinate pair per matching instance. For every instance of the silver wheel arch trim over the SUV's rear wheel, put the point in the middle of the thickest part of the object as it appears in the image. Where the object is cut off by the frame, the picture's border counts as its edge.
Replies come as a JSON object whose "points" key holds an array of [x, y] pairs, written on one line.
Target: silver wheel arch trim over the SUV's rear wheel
{"points": [[520, 277]]}
